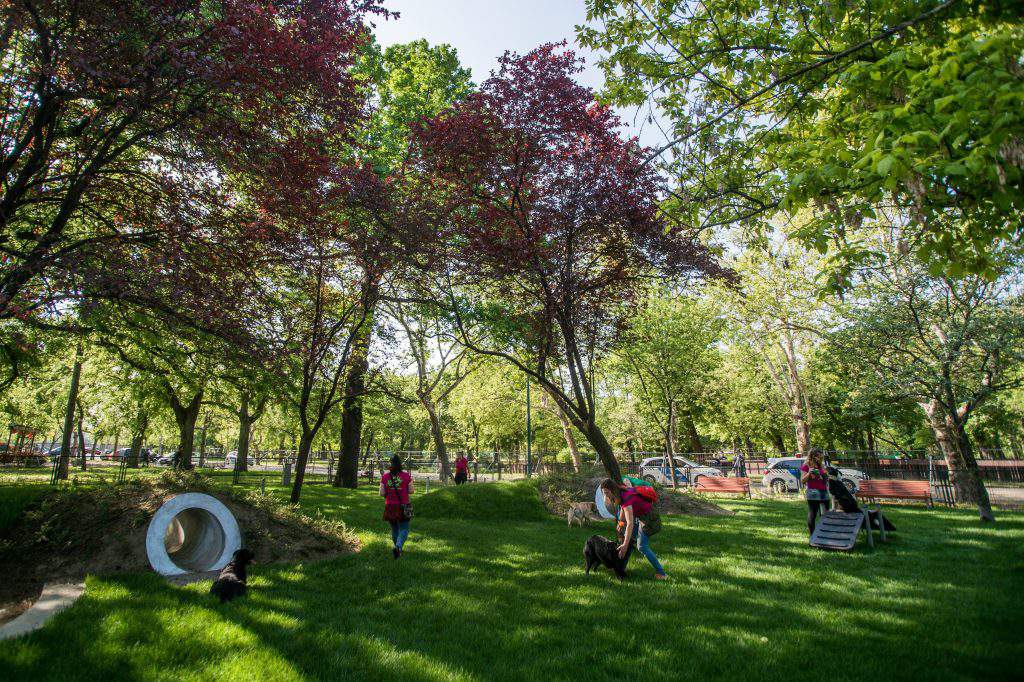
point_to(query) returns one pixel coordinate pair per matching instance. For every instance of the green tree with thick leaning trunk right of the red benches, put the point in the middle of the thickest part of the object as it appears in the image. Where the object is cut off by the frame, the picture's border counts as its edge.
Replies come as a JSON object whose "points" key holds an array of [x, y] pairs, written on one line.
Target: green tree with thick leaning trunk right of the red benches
{"points": [[950, 345]]}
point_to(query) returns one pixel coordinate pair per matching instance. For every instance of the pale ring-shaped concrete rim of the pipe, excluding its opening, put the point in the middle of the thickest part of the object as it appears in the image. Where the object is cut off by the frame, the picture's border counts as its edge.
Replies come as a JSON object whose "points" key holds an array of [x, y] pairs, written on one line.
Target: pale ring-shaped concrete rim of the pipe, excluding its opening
{"points": [[155, 537]]}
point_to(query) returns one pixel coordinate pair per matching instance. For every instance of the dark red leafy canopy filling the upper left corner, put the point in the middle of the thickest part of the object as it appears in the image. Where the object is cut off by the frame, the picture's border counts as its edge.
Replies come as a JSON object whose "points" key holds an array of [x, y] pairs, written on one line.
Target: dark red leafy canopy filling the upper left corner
{"points": [[124, 125]]}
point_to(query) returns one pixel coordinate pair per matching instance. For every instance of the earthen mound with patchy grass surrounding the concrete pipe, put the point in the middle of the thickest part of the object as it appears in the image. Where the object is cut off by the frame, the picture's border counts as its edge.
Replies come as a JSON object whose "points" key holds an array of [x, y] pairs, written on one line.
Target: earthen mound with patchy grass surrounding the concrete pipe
{"points": [[75, 532]]}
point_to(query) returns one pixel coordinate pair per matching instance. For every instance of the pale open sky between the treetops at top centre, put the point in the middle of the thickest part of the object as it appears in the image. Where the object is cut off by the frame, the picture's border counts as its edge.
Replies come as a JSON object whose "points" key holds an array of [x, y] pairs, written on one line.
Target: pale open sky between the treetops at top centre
{"points": [[483, 30]]}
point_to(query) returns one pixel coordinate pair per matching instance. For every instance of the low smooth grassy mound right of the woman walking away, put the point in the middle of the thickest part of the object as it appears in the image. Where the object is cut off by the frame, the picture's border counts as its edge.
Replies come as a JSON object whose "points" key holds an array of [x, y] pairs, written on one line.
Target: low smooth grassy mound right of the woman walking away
{"points": [[485, 502]]}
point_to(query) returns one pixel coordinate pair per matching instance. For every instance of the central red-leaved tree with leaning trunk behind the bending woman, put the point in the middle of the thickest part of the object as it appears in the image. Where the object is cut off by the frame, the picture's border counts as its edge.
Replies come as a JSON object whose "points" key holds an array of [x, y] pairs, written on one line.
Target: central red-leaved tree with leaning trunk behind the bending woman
{"points": [[554, 224]]}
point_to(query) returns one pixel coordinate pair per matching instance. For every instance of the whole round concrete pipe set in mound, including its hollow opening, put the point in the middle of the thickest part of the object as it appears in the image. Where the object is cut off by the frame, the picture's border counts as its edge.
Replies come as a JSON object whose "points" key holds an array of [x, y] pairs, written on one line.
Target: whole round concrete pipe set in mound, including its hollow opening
{"points": [[192, 533]]}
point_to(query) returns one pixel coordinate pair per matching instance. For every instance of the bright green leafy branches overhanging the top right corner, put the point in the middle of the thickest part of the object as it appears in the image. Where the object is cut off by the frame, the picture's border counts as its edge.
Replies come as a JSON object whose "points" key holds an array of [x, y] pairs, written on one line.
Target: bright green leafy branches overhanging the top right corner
{"points": [[840, 107]]}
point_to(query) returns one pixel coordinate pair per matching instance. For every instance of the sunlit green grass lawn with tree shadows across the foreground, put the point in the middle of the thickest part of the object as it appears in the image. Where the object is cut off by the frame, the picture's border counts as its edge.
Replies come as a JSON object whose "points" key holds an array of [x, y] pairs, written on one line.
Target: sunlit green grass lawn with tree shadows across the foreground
{"points": [[490, 588]]}
